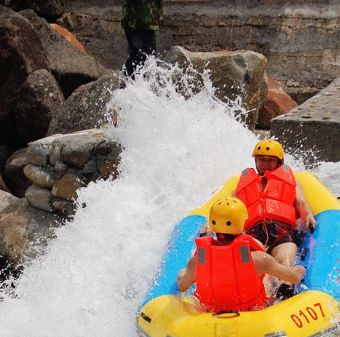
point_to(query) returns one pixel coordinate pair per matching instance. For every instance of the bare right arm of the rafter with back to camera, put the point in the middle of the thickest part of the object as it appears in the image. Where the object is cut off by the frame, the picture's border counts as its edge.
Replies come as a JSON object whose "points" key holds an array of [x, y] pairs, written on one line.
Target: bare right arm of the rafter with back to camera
{"points": [[265, 263]]}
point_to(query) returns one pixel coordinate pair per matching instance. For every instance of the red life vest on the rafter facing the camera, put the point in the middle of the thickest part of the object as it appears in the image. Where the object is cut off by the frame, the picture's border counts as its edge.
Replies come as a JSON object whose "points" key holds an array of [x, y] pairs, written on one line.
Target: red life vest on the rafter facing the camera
{"points": [[274, 202]]}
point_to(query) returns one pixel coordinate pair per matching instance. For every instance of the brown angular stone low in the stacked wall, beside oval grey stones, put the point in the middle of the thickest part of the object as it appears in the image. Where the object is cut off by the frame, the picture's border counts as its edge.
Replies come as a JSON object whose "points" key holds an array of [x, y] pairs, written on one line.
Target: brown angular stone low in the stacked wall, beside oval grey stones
{"points": [[66, 187]]}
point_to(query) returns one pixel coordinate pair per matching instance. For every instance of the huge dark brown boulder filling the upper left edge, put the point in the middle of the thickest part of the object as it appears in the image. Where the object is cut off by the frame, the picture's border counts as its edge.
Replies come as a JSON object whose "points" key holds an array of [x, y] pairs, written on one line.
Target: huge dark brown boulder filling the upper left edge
{"points": [[21, 53]]}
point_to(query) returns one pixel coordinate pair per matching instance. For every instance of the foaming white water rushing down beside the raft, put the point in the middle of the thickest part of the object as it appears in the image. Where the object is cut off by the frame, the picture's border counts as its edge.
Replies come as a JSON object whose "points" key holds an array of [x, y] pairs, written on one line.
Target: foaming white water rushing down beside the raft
{"points": [[96, 272]]}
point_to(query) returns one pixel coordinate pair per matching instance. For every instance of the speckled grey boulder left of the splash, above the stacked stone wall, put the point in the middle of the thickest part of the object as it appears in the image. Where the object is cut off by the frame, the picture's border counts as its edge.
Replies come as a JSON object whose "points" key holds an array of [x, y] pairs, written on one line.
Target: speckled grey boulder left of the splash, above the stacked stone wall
{"points": [[86, 107]]}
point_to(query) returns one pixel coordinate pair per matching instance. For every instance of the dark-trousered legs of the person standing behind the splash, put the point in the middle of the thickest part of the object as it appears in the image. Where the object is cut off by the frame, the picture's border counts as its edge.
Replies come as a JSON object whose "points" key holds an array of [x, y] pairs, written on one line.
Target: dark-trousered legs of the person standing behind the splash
{"points": [[141, 43]]}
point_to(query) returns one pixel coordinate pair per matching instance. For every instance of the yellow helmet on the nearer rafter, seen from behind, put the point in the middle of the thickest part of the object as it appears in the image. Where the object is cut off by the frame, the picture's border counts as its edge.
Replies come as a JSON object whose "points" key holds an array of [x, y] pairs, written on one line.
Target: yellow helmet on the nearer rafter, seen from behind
{"points": [[228, 216]]}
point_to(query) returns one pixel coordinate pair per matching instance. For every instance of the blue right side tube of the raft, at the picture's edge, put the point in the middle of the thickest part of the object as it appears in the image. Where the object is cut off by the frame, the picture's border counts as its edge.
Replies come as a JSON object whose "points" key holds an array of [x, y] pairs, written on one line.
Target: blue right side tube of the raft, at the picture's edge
{"points": [[323, 256]]}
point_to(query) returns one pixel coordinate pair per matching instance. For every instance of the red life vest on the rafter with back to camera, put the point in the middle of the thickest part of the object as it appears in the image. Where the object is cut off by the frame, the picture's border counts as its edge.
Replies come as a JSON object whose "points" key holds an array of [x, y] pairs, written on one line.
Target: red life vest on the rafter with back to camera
{"points": [[226, 279]]}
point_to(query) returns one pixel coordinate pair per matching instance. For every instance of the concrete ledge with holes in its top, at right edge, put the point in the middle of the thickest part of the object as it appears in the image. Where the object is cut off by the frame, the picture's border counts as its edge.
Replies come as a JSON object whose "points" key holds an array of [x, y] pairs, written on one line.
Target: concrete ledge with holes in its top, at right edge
{"points": [[313, 126]]}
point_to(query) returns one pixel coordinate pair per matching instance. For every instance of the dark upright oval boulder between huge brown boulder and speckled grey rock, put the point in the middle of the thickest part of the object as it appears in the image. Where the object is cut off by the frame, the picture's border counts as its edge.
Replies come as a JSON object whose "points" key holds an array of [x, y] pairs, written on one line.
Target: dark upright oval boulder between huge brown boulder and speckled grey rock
{"points": [[39, 98]]}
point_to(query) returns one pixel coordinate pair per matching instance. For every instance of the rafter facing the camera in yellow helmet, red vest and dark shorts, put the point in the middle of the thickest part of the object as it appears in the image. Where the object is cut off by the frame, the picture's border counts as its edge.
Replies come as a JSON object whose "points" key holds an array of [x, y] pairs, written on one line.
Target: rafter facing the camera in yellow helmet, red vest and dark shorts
{"points": [[273, 199]]}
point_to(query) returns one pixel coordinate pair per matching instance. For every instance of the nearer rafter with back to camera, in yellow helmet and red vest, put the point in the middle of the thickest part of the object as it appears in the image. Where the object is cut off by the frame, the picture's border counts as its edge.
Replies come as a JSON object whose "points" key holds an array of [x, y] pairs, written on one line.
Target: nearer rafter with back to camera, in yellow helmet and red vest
{"points": [[228, 270]]}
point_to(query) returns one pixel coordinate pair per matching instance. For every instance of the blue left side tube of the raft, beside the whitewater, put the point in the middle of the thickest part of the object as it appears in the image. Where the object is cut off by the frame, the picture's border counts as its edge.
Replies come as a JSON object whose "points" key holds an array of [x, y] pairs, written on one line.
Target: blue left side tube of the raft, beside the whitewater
{"points": [[180, 249]]}
